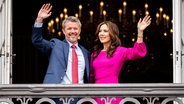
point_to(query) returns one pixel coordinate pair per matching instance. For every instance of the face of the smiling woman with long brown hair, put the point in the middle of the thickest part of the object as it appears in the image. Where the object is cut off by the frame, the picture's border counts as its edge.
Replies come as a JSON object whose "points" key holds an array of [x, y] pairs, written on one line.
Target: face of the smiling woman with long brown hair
{"points": [[104, 34]]}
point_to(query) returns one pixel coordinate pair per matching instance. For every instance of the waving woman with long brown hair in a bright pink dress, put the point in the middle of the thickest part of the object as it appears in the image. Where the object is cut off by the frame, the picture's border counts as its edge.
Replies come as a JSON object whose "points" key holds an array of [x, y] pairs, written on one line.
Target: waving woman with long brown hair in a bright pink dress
{"points": [[109, 56]]}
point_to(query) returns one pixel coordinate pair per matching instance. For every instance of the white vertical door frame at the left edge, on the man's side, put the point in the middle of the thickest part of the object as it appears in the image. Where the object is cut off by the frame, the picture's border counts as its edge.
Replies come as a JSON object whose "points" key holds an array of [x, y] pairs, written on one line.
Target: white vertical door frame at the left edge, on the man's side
{"points": [[5, 41]]}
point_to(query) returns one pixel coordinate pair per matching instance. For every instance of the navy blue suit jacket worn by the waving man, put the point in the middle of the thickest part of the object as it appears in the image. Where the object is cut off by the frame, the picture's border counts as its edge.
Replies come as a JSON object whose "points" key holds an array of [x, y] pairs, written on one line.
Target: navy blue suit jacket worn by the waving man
{"points": [[57, 51]]}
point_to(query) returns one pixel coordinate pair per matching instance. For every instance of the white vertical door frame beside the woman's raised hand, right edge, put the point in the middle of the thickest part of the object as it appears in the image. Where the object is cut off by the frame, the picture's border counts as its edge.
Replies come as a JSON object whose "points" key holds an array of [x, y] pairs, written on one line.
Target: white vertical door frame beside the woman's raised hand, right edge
{"points": [[177, 72]]}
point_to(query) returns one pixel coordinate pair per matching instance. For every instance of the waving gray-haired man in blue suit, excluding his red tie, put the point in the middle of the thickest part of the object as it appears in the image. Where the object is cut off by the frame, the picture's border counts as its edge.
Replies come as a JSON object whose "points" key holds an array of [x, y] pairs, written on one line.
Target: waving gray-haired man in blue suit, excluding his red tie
{"points": [[60, 51]]}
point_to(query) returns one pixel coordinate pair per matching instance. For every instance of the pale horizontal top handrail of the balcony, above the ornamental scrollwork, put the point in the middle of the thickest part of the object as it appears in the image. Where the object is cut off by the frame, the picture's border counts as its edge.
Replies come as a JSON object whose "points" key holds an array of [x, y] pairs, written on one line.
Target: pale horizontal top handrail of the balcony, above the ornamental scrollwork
{"points": [[84, 90]]}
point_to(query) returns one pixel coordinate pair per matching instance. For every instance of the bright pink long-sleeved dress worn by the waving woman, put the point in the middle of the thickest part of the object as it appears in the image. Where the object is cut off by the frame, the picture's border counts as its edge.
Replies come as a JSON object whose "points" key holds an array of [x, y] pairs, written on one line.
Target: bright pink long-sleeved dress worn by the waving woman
{"points": [[105, 70]]}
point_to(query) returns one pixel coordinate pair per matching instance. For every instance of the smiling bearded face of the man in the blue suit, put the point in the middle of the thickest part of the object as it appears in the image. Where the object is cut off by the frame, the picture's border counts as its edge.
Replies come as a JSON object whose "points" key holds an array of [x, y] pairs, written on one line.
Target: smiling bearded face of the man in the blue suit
{"points": [[72, 31]]}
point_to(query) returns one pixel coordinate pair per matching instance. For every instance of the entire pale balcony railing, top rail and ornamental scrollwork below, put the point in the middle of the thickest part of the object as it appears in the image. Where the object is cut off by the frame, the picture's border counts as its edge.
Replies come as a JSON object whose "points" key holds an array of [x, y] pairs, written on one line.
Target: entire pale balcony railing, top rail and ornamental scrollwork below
{"points": [[152, 93]]}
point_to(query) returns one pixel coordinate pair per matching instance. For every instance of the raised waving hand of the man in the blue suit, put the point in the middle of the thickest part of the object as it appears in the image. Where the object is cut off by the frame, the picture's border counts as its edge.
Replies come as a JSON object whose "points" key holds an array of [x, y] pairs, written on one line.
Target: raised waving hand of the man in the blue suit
{"points": [[44, 12]]}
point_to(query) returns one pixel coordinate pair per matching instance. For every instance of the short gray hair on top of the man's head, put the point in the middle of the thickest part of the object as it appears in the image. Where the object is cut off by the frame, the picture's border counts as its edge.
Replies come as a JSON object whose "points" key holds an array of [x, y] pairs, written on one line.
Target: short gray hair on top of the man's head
{"points": [[71, 19]]}
